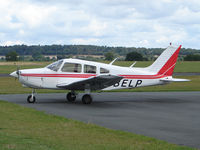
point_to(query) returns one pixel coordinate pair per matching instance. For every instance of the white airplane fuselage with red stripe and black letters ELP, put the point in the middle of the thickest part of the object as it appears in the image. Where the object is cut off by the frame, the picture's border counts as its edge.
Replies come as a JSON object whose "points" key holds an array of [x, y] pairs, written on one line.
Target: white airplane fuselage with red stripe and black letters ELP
{"points": [[49, 79]]}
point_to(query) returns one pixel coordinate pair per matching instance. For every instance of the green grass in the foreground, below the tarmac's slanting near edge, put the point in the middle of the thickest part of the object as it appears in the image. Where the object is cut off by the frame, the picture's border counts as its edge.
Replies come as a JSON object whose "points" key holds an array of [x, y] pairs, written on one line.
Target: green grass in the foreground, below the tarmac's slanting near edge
{"points": [[24, 128]]}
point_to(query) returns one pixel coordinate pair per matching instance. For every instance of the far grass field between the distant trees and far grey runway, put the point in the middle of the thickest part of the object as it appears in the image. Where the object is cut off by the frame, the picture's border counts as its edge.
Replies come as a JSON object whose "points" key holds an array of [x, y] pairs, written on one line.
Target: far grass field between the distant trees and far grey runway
{"points": [[182, 66]]}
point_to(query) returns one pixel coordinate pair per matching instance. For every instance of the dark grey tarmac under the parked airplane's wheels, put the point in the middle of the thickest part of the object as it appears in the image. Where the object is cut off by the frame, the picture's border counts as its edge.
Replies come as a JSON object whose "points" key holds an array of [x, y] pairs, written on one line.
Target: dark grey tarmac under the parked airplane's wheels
{"points": [[169, 116]]}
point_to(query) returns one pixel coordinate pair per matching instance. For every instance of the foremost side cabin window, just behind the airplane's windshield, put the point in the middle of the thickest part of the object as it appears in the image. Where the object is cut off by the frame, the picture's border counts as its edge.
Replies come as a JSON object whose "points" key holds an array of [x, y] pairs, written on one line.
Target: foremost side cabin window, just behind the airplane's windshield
{"points": [[71, 67]]}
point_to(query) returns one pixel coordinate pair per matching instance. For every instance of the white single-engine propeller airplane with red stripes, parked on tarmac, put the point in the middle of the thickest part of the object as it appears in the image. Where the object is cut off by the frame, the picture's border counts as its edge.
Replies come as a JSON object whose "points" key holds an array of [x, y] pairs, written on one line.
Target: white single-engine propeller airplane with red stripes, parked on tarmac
{"points": [[75, 75]]}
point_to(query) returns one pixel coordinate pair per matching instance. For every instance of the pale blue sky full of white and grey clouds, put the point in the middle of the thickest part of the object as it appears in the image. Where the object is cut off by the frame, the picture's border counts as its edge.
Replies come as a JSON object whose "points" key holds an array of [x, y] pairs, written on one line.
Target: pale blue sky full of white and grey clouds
{"points": [[138, 23]]}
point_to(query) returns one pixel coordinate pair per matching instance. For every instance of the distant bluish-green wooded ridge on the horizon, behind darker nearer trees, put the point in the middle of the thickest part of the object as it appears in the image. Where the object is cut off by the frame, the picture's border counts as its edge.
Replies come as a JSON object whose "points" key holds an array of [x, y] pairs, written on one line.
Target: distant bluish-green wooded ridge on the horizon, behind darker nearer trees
{"points": [[84, 49]]}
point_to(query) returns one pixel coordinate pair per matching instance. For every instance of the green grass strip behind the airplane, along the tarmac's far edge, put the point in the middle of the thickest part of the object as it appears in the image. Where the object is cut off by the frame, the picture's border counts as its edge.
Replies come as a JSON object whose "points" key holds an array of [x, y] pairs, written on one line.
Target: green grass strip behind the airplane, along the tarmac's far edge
{"points": [[11, 86]]}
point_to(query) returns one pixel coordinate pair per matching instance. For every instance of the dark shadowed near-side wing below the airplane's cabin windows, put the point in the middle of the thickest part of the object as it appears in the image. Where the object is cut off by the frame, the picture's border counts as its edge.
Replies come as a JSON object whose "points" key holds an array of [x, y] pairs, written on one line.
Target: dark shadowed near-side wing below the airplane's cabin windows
{"points": [[94, 83]]}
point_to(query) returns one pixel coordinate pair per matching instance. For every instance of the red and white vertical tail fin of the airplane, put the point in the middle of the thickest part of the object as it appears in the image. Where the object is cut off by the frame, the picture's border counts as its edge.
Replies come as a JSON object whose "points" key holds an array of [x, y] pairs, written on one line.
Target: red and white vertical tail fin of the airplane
{"points": [[165, 63]]}
